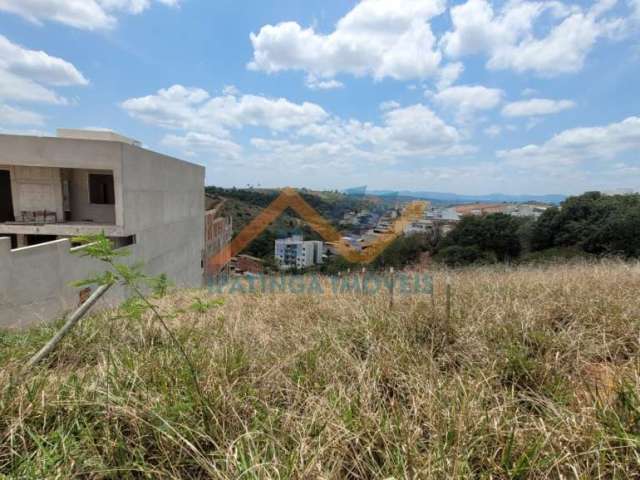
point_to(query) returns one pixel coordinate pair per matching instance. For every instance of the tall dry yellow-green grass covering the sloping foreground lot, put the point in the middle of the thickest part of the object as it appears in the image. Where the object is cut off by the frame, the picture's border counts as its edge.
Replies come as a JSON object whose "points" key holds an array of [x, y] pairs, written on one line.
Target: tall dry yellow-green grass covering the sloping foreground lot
{"points": [[536, 376]]}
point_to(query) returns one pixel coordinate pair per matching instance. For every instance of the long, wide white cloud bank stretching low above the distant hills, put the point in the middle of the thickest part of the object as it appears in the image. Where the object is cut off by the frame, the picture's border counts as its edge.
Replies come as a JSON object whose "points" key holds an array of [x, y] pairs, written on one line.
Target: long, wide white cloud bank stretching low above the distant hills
{"points": [[301, 135]]}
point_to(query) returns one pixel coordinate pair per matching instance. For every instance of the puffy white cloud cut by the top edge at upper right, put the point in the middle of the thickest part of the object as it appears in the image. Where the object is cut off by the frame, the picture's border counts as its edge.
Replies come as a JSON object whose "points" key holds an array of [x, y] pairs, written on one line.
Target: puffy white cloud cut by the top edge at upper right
{"points": [[508, 36]]}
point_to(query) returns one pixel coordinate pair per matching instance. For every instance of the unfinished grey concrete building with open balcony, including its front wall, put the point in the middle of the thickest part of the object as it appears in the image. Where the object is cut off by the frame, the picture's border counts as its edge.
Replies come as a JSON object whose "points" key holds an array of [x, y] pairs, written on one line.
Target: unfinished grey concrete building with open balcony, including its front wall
{"points": [[84, 182]]}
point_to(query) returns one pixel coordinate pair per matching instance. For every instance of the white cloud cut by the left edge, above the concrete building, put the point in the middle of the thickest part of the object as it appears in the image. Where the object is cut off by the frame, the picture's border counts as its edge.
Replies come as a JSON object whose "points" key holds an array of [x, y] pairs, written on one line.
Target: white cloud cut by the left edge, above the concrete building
{"points": [[23, 74]]}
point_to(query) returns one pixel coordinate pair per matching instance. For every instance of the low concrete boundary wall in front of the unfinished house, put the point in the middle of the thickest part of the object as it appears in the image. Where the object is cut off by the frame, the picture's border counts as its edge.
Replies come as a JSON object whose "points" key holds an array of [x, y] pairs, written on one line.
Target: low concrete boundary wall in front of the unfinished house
{"points": [[35, 282]]}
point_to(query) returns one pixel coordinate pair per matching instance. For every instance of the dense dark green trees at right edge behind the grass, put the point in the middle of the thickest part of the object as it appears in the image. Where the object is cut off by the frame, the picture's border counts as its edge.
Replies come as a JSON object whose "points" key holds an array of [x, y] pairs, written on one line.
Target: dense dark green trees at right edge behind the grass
{"points": [[589, 224]]}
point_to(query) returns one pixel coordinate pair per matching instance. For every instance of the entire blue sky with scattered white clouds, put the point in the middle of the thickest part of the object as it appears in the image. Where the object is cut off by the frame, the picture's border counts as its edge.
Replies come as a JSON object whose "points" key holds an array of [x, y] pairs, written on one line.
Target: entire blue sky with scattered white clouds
{"points": [[471, 97]]}
